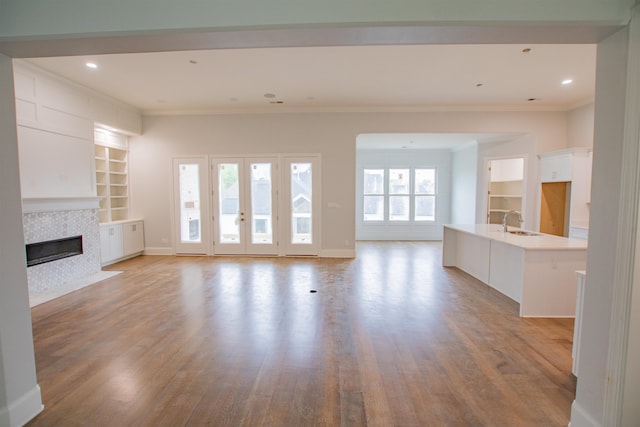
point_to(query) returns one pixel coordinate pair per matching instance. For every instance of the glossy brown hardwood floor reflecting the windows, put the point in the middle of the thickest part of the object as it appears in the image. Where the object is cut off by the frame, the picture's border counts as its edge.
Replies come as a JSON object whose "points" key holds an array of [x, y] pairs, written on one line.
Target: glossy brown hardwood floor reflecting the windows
{"points": [[390, 338]]}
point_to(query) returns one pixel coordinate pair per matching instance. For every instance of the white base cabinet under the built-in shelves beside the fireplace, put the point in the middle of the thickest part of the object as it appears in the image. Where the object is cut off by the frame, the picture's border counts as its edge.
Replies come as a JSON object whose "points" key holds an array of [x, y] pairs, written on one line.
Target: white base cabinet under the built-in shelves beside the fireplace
{"points": [[121, 240]]}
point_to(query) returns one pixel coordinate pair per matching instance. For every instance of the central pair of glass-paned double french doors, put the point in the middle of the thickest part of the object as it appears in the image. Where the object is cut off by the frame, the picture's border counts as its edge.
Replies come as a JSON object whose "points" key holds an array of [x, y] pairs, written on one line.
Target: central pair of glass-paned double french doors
{"points": [[245, 205]]}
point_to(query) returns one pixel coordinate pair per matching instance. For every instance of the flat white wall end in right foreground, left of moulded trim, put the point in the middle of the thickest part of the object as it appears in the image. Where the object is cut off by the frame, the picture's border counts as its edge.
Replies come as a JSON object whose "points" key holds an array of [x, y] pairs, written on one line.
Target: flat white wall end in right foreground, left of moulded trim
{"points": [[607, 211]]}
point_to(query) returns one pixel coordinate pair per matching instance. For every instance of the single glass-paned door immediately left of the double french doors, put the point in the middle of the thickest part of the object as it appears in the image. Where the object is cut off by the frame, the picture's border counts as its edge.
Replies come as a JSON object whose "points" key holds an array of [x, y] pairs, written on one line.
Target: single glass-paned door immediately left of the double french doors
{"points": [[191, 209]]}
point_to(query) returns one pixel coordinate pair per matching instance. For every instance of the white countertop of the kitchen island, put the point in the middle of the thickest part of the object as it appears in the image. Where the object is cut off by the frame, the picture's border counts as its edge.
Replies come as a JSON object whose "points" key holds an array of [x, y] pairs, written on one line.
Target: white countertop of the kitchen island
{"points": [[538, 242]]}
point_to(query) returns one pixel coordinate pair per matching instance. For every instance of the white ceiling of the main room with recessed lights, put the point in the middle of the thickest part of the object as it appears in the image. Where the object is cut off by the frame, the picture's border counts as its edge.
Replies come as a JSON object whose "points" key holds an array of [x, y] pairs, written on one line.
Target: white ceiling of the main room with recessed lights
{"points": [[345, 78]]}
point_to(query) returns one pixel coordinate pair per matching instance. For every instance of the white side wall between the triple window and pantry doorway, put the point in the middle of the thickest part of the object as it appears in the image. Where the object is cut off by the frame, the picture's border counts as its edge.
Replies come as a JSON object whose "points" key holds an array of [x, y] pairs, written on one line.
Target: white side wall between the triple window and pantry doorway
{"points": [[464, 185]]}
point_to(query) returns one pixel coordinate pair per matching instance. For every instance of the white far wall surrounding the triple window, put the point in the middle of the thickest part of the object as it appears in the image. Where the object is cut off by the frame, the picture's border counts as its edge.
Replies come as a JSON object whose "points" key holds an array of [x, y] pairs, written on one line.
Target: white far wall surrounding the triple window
{"points": [[438, 159]]}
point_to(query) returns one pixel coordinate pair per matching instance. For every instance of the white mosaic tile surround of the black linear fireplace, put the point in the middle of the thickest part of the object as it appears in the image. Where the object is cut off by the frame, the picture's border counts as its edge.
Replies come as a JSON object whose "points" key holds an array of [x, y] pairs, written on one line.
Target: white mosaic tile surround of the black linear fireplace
{"points": [[42, 226]]}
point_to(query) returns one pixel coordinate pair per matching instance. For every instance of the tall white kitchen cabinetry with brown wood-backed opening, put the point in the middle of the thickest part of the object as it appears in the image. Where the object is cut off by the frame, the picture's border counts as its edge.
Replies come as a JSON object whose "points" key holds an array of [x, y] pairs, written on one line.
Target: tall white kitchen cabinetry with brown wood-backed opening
{"points": [[565, 178]]}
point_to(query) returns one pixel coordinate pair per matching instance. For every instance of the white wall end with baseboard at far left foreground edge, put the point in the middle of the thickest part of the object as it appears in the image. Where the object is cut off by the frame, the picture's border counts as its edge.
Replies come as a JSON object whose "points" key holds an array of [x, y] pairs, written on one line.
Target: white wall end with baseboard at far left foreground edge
{"points": [[20, 398]]}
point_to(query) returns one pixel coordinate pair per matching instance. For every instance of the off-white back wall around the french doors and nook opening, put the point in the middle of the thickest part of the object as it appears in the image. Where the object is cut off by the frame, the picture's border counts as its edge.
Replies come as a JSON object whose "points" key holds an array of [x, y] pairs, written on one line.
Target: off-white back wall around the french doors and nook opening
{"points": [[333, 135]]}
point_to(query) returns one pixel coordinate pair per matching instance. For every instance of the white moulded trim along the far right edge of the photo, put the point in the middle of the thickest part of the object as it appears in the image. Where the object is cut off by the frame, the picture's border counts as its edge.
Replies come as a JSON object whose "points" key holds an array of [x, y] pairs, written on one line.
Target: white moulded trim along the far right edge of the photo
{"points": [[623, 370]]}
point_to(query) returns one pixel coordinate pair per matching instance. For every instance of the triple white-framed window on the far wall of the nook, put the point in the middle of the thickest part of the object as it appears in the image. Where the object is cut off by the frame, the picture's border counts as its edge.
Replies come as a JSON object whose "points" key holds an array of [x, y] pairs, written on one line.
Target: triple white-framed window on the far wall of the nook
{"points": [[408, 194]]}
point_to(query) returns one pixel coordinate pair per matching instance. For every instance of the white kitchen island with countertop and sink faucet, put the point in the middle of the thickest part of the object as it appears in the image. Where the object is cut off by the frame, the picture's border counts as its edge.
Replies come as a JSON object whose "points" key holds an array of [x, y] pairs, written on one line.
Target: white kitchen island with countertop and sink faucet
{"points": [[538, 271]]}
